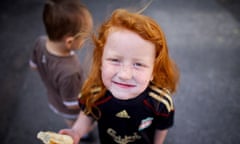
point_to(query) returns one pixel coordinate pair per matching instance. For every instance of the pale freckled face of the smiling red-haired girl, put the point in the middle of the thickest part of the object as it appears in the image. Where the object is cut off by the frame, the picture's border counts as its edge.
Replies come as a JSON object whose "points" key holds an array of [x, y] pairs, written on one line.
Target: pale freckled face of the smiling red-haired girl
{"points": [[127, 63]]}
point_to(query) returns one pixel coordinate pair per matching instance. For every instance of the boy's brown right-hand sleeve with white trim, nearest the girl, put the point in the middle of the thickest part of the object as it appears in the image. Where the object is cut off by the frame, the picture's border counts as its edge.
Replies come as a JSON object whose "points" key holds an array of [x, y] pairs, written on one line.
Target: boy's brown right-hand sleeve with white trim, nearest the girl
{"points": [[70, 88]]}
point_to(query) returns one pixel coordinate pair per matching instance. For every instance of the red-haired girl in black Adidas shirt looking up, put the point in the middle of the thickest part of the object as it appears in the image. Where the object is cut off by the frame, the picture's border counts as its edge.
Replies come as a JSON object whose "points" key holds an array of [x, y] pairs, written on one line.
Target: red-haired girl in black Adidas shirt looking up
{"points": [[128, 91]]}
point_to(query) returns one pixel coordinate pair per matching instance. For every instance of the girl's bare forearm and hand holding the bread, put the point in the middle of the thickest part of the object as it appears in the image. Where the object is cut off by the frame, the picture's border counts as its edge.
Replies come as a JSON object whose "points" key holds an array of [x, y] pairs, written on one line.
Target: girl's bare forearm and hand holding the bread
{"points": [[80, 128]]}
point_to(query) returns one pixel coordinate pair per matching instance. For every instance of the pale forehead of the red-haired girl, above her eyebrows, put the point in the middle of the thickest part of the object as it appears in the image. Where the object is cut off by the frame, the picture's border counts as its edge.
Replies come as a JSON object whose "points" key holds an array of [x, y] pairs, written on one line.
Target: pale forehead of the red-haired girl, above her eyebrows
{"points": [[128, 44]]}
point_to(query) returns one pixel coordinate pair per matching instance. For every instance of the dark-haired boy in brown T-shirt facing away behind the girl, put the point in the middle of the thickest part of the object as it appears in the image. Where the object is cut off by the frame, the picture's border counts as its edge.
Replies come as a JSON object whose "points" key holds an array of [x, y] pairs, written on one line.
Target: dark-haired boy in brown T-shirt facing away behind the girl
{"points": [[67, 24]]}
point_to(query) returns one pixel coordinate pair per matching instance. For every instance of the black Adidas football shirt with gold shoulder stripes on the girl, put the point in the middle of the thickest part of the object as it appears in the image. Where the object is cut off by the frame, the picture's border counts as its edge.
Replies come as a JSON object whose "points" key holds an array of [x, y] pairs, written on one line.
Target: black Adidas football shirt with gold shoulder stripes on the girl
{"points": [[134, 121]]}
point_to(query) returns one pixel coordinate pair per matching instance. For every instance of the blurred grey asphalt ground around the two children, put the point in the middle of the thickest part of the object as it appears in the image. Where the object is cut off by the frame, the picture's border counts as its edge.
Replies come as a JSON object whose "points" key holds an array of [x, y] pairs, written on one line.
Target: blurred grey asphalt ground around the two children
{"points": [[203, 38]]}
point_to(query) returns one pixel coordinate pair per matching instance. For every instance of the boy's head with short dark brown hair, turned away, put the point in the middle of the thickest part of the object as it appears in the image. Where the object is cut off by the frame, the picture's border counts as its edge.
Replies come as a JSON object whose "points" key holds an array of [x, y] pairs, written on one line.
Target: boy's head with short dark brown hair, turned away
{"points": [[63, 18]]}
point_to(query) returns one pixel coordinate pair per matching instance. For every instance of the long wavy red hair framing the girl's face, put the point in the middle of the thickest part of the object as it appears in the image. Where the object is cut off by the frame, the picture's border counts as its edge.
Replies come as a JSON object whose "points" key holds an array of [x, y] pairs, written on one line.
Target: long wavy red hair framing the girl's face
{"points": [[165, 72]]}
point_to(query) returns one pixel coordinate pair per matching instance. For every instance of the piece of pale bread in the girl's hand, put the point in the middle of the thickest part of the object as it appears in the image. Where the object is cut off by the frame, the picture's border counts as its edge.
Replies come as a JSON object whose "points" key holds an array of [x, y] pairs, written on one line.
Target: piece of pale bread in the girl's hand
{"points": [[54, 138]]}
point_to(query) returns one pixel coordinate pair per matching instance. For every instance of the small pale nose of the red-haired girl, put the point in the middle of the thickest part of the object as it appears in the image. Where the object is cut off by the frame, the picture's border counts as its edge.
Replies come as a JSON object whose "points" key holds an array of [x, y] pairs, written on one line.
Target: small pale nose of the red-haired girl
{"points": [[125, 72]]}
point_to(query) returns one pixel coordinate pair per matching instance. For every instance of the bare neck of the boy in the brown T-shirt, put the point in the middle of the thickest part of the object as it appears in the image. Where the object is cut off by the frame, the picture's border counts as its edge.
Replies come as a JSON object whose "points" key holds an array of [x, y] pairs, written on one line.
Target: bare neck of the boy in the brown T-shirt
{"points": [[57, 48]]}
